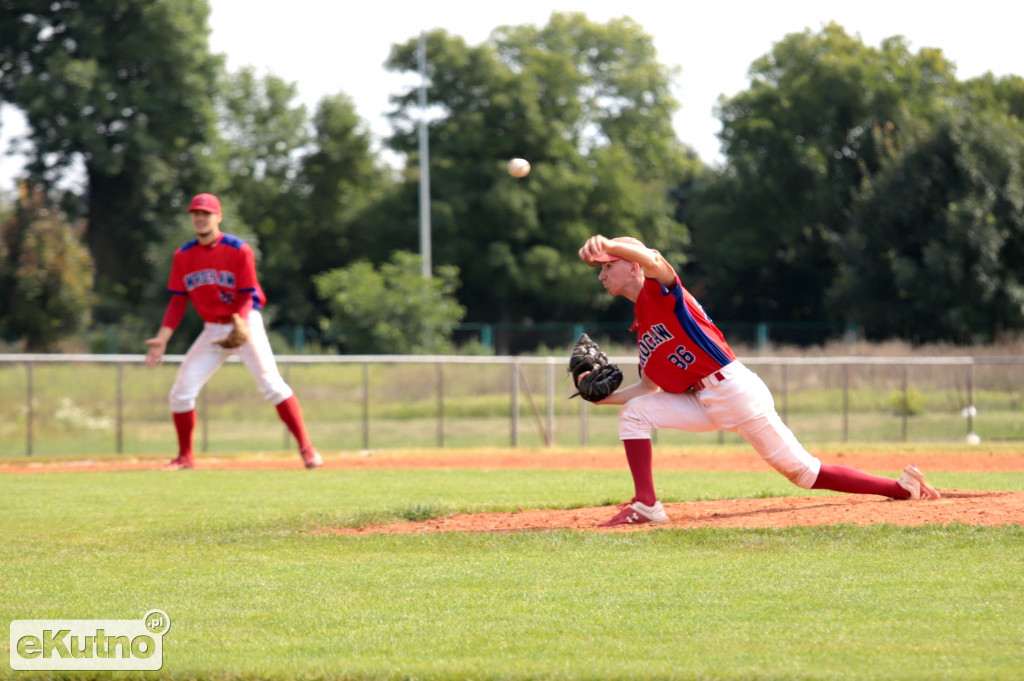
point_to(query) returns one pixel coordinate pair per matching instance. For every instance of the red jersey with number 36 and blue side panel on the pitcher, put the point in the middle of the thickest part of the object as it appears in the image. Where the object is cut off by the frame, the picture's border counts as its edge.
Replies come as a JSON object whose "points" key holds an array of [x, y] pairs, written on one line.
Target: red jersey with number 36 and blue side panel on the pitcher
{"points": [[677, 342]]}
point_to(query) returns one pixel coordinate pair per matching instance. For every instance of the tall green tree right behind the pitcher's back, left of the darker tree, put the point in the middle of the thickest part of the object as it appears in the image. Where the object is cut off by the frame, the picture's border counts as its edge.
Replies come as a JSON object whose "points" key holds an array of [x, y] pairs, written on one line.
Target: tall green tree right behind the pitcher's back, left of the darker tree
{"points": [[799, 143]]}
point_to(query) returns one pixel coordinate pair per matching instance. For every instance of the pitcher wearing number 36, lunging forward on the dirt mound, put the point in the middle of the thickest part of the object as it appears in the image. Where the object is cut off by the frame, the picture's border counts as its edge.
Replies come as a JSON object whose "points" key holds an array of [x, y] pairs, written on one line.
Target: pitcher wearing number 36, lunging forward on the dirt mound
{"points": [[692, 380]]}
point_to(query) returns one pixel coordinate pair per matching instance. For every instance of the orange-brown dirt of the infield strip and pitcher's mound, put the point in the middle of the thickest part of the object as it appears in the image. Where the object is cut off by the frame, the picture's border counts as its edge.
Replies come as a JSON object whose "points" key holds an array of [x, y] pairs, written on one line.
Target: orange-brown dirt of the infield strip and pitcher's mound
{"points": [[958, 506]]}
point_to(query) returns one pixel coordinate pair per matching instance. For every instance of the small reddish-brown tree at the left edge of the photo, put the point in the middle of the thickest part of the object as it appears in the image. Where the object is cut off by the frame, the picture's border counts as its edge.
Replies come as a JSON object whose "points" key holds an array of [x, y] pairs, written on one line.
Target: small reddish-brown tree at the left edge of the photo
{"points": [[46, 273]]}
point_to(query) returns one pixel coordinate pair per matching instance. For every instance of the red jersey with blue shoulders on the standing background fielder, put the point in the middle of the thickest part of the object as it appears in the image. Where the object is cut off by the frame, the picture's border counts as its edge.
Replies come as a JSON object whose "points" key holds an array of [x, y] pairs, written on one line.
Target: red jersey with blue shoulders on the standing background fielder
{"points": [[212, 277]]}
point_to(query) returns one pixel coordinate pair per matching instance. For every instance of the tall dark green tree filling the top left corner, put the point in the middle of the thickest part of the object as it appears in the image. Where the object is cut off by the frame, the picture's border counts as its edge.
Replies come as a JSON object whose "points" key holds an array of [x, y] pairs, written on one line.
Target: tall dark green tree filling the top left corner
{"points": [[121, 95]]}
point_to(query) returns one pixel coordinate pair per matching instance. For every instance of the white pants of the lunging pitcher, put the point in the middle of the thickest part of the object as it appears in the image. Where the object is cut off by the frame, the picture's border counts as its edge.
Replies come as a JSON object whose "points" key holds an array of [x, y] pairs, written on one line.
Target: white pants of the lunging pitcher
{"points": [[742, 404]]}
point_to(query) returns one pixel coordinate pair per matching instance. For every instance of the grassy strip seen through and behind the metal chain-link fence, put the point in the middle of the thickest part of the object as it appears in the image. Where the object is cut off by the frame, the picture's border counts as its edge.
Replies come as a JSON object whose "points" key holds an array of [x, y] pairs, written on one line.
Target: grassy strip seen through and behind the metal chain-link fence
{"points": [[77, 408]]}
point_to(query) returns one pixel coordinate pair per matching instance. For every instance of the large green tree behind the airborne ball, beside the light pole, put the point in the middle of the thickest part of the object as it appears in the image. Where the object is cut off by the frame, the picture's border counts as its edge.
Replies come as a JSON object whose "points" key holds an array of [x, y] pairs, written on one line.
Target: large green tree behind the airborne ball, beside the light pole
{"points": [[590, 107]]}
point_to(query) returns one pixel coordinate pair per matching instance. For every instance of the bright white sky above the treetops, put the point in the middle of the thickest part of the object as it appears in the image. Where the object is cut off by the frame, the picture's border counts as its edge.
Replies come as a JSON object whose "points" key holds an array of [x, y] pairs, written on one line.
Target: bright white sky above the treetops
{"points": [[331, 47]]}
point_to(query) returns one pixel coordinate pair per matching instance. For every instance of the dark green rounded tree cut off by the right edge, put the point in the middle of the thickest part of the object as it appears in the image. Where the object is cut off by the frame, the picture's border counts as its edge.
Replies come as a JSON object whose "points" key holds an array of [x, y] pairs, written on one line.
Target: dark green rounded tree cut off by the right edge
{"points": [[935, 250]]}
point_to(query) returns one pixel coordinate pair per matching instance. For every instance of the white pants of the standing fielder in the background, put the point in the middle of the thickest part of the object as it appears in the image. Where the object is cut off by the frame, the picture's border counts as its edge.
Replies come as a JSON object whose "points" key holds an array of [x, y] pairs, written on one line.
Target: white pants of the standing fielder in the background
{"points": [[204, 359]]}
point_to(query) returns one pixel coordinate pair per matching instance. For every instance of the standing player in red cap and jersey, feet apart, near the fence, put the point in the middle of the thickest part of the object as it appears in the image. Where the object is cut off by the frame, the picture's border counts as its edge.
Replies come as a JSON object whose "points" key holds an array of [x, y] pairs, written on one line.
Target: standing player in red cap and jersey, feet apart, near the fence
{"points": [[218, 273]]}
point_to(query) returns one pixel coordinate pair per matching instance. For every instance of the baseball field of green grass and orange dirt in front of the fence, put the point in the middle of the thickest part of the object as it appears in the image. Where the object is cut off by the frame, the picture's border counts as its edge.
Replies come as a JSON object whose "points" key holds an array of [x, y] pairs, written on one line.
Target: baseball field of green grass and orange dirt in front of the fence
{"points": [[488, 565]]}
